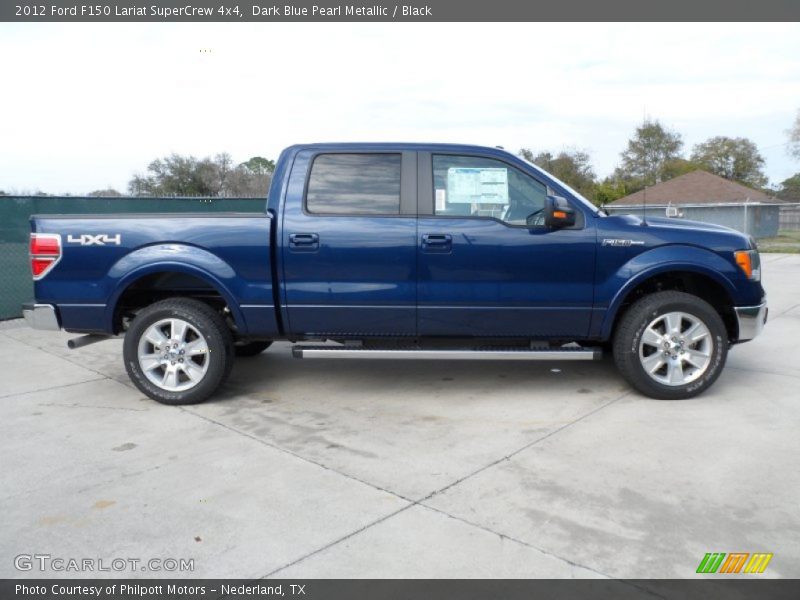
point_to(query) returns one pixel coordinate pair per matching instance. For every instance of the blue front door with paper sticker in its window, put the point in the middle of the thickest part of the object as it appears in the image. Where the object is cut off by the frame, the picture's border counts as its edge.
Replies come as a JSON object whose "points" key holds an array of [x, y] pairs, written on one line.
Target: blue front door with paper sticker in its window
{"points": [[487, 265]]}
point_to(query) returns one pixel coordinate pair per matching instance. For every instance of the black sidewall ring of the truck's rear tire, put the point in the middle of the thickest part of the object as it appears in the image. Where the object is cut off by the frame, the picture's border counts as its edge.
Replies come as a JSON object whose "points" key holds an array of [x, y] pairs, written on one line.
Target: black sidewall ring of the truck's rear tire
{"points": [[217, 350]]}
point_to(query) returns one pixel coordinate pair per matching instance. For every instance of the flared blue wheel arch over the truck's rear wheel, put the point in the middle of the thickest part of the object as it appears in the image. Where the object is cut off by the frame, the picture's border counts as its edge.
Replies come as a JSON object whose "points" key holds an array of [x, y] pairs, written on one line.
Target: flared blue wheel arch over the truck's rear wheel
{"points": [[178, 258]]}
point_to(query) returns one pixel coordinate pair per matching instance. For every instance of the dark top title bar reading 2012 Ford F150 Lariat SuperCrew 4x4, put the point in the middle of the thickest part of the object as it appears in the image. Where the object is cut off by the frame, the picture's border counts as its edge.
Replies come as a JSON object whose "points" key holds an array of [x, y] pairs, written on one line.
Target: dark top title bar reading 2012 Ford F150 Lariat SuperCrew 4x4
{"points": [[198, 11]]}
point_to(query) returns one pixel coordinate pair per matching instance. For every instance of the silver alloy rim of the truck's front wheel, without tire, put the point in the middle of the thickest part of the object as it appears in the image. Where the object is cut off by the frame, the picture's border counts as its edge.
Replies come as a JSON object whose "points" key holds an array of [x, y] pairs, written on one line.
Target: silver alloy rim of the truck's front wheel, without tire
{"points": [[676, 348]]}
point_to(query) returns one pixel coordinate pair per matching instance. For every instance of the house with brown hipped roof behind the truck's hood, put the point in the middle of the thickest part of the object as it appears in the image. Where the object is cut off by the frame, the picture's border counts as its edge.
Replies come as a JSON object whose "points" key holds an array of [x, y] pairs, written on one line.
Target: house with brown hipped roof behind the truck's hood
{"points": [[703, 196]]}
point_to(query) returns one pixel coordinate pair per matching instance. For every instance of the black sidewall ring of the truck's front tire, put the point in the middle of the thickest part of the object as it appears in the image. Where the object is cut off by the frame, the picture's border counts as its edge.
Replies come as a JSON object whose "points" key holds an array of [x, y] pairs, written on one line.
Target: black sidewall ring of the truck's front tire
{"points": [[648, 312]]}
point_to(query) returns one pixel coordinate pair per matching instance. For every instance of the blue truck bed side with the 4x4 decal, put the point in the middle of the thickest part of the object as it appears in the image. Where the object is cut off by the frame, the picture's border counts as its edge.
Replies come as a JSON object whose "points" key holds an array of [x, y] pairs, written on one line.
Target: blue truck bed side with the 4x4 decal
{"points": [[100, 254]]}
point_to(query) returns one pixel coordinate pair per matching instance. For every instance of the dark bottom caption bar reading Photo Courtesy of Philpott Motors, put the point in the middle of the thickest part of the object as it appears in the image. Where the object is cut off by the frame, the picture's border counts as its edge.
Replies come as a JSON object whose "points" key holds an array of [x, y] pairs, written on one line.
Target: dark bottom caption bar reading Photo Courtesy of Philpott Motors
{"points": [[709, 588]]}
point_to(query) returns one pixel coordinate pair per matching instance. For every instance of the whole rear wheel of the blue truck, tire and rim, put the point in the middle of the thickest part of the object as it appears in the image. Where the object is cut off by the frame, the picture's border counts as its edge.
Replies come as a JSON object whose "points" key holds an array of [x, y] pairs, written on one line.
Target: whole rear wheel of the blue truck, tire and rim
{"points": [[178, 351]]}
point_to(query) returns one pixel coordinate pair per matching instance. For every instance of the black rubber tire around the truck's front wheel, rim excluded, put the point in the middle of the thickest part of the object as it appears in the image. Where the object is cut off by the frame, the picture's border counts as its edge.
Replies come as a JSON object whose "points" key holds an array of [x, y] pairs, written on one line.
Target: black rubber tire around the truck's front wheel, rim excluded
{"points": [[640, 315]]}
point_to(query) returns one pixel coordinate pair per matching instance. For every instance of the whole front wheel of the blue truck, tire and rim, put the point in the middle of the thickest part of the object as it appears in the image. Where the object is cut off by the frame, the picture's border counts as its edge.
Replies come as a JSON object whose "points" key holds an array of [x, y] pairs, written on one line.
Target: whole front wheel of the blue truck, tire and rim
{"points": [[671, 345]]}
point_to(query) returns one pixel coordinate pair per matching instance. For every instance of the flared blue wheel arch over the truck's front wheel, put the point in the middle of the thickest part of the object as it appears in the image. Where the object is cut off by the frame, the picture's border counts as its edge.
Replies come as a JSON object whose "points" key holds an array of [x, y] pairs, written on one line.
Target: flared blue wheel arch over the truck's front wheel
{"points": [[613, 289]]}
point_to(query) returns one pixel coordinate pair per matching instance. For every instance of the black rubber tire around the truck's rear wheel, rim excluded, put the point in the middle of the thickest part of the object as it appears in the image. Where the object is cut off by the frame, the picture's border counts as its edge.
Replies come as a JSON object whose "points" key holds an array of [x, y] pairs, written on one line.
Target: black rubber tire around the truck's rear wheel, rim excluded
{"points": [[206, 321]]}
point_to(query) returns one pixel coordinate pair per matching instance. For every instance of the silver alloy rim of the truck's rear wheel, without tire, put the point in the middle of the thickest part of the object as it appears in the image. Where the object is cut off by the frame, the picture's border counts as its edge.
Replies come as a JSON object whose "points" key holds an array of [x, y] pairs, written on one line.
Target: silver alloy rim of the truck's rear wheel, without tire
{"points": [[173, 355]]}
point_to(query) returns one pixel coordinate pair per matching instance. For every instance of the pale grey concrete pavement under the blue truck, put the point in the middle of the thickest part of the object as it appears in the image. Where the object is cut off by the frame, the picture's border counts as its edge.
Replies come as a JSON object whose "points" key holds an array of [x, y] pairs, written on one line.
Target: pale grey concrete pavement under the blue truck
{"points": [[415, 469]]}
